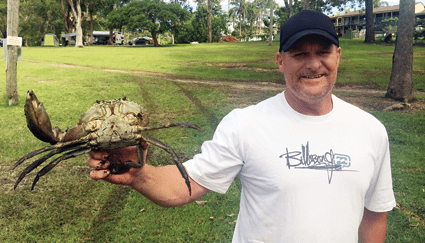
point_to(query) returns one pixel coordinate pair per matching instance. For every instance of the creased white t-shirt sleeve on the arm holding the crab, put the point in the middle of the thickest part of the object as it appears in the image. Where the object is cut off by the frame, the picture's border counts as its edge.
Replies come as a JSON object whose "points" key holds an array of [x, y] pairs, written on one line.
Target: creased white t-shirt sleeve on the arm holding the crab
{"points": [[220, 161]]}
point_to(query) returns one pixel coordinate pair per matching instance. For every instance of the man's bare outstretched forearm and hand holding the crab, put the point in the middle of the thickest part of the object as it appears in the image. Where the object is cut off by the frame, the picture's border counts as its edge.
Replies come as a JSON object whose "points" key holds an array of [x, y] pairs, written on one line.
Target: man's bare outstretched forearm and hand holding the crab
{"points": [[162, 185]]}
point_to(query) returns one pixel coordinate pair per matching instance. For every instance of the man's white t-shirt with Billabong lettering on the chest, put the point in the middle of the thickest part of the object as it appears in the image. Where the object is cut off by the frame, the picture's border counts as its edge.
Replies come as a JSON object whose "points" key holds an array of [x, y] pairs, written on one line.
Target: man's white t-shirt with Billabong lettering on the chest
{"points": [[304, 178]]}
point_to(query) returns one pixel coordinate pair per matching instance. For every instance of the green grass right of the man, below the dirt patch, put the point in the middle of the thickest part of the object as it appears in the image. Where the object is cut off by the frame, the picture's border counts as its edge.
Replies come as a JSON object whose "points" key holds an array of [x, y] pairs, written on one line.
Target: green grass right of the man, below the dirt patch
{"points": [[406, 133]]}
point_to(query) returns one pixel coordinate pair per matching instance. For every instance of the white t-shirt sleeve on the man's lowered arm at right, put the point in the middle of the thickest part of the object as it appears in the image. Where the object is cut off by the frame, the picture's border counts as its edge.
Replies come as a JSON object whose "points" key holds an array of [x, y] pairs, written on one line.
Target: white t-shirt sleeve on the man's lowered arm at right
{"points": [[380, 195]]}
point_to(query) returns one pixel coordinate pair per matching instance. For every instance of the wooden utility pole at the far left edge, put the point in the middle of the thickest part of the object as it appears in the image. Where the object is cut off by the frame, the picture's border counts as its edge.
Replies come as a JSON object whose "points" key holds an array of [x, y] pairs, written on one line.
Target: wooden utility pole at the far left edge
{"points": [[12, 52]]}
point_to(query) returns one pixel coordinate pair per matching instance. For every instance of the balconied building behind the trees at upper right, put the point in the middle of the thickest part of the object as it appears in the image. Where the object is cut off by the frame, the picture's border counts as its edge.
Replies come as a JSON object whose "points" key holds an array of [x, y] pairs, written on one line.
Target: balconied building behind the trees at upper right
{"points": [[356, 20]]}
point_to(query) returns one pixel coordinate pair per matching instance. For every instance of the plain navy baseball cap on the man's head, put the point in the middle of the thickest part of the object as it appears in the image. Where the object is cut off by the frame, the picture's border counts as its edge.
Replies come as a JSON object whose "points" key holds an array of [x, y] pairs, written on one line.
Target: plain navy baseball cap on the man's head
{"points": [[306, 22]]}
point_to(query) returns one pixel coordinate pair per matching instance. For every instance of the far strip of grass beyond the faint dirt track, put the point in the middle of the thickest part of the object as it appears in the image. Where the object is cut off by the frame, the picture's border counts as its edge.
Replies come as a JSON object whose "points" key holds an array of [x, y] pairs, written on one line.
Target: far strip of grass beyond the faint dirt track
{"points": [[361, 64]]}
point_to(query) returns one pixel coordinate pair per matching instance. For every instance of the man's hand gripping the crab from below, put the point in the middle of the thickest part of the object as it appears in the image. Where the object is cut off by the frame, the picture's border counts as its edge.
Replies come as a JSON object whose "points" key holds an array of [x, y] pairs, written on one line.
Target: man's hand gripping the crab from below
{"points": [[101, 161]]}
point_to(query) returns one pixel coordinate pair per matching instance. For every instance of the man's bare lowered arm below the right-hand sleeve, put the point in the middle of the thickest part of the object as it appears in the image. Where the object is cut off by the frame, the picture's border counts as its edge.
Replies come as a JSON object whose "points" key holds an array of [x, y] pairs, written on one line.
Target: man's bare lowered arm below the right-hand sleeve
{"points": [[373, 227]]}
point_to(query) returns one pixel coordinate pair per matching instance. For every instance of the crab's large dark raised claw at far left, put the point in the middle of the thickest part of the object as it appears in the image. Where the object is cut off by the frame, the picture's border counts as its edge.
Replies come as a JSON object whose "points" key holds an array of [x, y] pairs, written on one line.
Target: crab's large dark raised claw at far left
{"points": [[38, 121]]}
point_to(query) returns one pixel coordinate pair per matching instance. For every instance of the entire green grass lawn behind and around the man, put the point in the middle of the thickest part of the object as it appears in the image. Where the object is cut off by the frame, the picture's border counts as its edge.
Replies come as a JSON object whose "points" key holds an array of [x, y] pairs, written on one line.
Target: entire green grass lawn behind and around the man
{"points": [[66, 206]]}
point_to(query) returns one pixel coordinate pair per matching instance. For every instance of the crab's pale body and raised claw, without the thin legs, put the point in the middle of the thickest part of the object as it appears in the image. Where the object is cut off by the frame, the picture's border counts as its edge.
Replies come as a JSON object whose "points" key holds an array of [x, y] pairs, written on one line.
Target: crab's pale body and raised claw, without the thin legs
{"points": [[109, 124]]}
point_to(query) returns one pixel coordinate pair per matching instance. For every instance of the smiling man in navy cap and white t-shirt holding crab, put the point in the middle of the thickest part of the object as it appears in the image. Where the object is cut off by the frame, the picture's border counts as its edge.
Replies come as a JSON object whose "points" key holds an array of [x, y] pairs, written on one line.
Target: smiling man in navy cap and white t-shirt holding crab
{"points": [[313, 168]]}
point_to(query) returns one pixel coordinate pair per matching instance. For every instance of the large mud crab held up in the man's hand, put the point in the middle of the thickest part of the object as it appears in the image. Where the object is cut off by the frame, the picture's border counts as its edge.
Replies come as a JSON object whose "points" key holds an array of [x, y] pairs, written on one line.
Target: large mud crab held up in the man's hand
{"points": [[106, 125]]}
